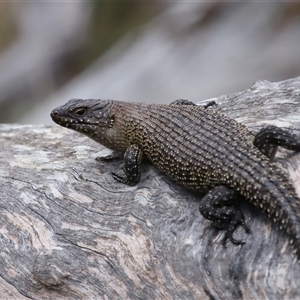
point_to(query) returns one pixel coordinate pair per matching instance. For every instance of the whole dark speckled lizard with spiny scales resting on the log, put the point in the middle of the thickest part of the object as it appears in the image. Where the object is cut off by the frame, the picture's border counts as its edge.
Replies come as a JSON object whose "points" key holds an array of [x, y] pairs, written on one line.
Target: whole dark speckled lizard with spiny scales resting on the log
{"points": [[201, 149]]}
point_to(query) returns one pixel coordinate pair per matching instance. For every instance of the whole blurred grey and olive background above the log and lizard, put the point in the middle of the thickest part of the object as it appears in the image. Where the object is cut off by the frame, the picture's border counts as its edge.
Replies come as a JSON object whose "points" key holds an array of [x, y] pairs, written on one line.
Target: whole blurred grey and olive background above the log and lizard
{"points": [[139, 51]]}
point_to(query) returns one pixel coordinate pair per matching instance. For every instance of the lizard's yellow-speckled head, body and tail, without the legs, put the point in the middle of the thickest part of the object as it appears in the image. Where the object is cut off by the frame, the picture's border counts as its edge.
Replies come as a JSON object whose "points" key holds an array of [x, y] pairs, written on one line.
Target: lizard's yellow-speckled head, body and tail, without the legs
{"points": [[199, 148]]}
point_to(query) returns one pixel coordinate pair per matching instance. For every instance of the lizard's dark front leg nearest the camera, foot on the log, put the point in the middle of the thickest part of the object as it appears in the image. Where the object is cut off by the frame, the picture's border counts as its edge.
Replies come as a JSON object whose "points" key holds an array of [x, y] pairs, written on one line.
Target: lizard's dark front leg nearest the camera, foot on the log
{"points": [[131, 169]]}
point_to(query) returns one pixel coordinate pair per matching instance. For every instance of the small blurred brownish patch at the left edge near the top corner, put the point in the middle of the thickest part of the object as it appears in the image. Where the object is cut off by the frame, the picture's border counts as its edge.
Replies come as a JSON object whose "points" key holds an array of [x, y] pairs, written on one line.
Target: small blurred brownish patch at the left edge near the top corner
{"points": [[7, 27]]}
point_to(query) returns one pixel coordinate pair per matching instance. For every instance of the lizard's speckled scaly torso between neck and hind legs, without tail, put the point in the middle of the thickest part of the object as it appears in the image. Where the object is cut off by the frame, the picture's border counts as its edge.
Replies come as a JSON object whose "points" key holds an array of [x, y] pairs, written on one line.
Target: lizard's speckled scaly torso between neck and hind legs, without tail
{"points": [[199, 148]]}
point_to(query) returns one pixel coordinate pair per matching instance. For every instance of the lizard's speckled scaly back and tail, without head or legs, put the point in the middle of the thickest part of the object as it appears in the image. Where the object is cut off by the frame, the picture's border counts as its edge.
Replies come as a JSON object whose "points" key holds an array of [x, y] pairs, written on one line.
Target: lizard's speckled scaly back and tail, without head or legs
{"points": [[201, 148]]}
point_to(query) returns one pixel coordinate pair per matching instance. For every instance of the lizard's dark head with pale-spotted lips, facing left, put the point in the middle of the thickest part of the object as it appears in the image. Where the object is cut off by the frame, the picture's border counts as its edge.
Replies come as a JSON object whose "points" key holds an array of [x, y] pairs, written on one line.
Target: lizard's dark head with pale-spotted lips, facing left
{"points": [[94, 118]]}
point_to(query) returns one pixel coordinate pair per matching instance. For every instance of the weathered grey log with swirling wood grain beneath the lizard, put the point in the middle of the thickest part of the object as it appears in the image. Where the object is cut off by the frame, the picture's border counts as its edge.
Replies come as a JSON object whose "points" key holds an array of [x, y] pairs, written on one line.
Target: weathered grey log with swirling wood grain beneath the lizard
{"points": [[69, 231]]}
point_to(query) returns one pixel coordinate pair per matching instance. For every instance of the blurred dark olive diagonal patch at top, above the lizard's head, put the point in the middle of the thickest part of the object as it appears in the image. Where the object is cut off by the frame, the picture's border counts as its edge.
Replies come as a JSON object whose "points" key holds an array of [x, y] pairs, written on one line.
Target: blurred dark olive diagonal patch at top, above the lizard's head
{"points": [[110, 21]]}
